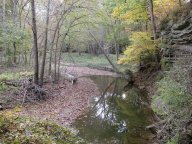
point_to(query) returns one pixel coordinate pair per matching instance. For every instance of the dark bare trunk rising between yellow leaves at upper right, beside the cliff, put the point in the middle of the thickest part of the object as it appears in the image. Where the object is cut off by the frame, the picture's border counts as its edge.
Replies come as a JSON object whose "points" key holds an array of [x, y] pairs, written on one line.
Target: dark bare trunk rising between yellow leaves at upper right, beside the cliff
{"points": [[152, 19]]}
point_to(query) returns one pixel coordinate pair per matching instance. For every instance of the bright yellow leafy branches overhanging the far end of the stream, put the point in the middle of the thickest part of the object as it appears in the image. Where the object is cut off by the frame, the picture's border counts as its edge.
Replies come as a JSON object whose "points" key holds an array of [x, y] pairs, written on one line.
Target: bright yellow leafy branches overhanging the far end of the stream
{"points": [[141, 43]]}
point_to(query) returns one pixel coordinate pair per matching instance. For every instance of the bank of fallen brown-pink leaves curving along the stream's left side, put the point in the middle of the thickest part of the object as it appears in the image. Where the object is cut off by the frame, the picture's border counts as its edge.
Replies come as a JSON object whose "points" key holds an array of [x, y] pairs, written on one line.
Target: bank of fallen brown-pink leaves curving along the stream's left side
{"points": [[67, 101]]}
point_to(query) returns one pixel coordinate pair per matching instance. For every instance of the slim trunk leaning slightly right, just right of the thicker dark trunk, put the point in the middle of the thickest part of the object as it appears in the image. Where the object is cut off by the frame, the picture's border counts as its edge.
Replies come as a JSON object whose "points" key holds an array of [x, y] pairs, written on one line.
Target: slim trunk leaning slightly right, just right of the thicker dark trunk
{"points": [[45, 46]]}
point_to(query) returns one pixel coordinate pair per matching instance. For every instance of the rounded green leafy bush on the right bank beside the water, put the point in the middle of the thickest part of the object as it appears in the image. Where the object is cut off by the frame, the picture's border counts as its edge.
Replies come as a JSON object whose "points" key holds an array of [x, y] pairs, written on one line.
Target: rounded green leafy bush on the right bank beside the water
{"points": [[171, 93]]}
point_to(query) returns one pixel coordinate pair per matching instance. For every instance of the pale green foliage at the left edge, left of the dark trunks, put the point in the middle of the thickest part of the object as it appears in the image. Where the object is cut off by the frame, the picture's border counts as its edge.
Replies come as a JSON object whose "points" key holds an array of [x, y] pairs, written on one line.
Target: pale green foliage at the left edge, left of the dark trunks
{"points": [[9, 35]]}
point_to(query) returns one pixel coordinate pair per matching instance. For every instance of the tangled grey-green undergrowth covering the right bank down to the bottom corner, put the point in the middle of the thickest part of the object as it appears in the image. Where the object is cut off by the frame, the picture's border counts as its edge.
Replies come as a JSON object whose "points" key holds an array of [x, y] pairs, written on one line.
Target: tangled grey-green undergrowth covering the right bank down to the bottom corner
{"points": [[173, 101]]}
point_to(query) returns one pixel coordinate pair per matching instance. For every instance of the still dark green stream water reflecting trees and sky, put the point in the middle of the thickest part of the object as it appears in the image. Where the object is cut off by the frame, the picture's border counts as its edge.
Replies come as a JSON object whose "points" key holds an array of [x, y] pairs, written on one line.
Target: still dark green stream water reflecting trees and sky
{"points": [[118, 115]]}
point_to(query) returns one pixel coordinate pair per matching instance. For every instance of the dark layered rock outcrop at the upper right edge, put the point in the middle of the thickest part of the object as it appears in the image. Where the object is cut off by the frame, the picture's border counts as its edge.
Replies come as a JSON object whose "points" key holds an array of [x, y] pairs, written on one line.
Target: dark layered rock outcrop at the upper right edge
{"points": [[179, 31]]}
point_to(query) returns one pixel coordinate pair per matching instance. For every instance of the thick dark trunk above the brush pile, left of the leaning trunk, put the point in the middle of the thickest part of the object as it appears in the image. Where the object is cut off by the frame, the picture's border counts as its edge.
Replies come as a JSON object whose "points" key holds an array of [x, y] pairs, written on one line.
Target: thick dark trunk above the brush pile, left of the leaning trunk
{"points": [[36, 60]]}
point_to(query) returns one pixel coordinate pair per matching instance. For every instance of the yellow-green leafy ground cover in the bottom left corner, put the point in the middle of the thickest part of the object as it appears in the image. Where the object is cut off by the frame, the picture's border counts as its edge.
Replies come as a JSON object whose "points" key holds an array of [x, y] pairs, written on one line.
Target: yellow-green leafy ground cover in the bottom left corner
{"points": [[21, 130]]}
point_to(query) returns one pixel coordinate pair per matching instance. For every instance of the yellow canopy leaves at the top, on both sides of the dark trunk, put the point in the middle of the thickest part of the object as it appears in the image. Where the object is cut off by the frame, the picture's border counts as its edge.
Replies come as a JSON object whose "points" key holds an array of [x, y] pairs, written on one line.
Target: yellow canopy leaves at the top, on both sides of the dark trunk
{"points": [[133, 11]]}
